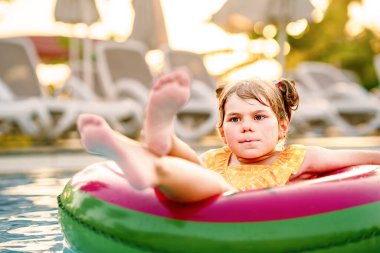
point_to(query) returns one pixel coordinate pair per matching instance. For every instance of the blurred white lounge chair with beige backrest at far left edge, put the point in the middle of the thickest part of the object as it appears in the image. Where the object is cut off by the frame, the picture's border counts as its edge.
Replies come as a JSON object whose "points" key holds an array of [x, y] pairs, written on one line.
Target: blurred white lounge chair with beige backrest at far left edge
{"points": [[18, 73]]}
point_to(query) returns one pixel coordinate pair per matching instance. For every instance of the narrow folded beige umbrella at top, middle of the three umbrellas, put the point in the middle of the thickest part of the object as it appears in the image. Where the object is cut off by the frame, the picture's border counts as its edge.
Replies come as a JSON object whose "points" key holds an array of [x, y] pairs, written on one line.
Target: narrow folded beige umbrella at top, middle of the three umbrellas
{"points": [[149, 24]]}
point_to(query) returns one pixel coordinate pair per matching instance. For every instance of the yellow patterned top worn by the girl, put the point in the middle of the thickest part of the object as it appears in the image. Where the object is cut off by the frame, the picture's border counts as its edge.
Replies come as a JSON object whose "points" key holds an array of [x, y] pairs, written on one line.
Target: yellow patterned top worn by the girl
{"points": [[247, 176]]}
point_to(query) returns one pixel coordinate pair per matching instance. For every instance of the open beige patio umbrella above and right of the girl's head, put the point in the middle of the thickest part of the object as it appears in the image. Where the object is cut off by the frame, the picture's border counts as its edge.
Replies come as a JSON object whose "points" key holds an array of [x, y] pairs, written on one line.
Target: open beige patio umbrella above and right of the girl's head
{"points": [[241, 15]]}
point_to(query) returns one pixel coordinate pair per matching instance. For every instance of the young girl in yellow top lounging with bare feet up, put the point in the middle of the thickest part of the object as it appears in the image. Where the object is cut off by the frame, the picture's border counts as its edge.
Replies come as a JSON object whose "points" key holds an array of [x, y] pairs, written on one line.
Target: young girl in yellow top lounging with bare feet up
{"points": [[254, 120]]}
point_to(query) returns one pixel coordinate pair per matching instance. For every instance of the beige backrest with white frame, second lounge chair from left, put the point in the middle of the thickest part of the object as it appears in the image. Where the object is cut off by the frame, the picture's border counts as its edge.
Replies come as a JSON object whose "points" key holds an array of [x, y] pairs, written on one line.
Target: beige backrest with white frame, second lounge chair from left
{"points": [[123, 71]]}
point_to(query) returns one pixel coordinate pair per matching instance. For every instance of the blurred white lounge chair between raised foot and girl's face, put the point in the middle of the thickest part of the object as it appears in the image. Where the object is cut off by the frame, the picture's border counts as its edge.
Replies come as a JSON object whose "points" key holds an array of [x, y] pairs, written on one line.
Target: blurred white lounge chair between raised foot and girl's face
{"points": [[199, 117]]}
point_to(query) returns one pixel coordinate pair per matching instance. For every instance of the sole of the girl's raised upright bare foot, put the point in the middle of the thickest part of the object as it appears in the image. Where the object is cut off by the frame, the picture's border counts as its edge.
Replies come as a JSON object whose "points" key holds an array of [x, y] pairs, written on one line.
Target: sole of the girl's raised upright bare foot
{"points": [[169, 93]]}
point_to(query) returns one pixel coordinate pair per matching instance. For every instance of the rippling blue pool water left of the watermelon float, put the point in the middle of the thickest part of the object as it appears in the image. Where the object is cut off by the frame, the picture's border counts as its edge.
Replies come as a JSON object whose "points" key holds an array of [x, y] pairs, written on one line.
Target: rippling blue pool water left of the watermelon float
{"points": [[28, 212]]}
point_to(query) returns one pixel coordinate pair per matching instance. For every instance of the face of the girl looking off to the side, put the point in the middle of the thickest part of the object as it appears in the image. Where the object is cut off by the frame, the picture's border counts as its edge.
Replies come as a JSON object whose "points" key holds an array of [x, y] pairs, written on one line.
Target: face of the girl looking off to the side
{"points": [[250, 129]]}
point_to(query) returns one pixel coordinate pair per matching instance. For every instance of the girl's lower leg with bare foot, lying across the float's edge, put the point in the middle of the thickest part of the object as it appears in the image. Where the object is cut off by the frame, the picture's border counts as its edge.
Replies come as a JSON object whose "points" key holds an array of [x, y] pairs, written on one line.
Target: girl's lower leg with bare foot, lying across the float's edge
{"points": [[180, 180]]}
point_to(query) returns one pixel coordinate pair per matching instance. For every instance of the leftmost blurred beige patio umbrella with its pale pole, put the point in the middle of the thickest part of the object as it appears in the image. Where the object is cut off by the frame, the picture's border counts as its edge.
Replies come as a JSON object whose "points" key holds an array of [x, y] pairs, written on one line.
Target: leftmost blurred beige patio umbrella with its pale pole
{"points": [[74, 12]]}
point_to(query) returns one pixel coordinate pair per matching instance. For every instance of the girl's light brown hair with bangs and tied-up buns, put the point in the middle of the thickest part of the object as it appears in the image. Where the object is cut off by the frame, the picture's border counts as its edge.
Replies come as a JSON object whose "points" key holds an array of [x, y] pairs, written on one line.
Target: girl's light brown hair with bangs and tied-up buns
{"points": [[282, 97]]}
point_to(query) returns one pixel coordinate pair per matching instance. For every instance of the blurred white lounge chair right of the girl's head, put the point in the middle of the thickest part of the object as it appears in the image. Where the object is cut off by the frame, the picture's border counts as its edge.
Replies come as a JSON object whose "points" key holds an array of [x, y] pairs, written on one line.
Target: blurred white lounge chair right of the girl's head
{"points": [[353, 102]]}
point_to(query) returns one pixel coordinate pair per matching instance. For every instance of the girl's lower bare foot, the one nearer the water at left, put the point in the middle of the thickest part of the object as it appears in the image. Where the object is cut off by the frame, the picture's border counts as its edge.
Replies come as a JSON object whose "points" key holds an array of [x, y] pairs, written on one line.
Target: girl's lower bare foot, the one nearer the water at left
{"points": [[98, 138]]}
